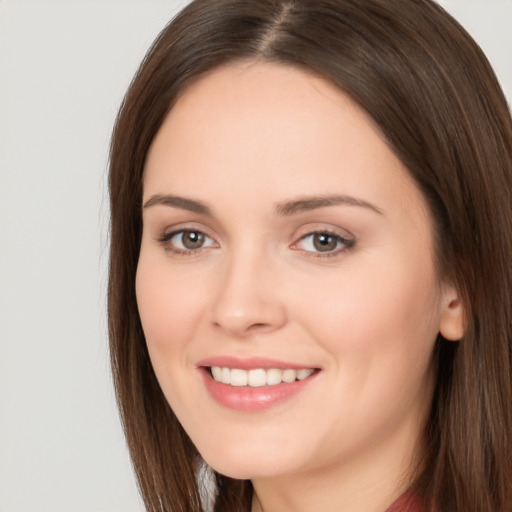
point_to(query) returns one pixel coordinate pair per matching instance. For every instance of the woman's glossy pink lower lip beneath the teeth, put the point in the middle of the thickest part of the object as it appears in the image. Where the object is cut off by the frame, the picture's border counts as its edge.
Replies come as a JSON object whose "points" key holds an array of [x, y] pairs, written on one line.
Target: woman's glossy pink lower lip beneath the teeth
{"points": [[252, 399]]}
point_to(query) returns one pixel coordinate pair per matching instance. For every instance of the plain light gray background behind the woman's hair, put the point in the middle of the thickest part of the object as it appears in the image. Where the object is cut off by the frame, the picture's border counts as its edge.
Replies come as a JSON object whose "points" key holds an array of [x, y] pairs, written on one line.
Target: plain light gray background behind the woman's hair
{"points": [[64, 66]]}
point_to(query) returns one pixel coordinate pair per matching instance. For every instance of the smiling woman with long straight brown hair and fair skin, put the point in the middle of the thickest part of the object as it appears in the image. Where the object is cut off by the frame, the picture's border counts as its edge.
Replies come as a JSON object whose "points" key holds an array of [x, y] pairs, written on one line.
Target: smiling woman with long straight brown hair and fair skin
{"points": [[310, 281]]}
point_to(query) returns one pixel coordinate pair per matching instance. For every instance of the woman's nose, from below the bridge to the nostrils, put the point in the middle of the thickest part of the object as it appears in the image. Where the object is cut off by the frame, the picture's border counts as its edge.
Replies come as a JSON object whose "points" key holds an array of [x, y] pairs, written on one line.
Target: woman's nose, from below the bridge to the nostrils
{"points": [[248, 299]]}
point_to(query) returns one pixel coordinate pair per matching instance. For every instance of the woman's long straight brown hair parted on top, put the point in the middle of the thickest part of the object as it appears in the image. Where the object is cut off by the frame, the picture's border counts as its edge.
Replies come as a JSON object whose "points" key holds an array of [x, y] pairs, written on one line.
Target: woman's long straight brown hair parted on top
{"points": [[436, 100]]}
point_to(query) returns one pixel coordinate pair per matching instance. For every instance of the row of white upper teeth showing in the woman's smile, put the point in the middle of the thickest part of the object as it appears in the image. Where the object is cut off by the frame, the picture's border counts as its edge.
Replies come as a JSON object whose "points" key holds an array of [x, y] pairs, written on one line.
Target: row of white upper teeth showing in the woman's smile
{"points": [[258, 377]]}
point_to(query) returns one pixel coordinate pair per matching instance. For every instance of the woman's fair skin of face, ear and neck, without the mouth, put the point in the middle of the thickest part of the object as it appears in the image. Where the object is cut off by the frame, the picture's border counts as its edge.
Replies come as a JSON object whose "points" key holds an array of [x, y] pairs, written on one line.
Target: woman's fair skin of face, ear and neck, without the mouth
{"points": [[366, 314]]}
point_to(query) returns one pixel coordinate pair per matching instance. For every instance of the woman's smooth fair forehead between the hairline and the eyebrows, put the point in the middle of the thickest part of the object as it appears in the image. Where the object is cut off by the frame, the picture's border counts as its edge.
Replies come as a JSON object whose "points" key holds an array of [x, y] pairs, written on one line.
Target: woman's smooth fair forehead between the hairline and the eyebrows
{"points": [[260, 128]]}
